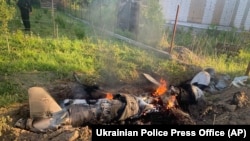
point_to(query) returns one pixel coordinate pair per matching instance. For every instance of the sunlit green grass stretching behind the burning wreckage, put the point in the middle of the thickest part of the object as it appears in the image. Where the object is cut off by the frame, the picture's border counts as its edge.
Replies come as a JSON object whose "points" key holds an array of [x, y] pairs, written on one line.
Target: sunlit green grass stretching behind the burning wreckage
{"points": [[77, 47]]}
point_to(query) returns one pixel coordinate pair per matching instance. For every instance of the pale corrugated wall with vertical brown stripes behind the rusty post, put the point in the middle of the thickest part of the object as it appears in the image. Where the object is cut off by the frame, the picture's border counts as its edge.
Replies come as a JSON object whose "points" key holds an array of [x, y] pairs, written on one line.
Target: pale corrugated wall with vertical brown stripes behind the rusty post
{"points": [[204, 13]]}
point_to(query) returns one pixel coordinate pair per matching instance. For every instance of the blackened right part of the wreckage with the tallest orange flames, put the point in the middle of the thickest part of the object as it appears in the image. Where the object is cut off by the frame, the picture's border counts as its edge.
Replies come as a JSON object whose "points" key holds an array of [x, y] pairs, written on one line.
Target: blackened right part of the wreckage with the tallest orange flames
{"points": [[169, 110]]}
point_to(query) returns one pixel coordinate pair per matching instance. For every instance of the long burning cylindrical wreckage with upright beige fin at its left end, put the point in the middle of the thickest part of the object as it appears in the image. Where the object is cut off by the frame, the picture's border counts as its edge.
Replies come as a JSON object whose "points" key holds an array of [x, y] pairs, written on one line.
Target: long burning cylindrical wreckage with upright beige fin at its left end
{"points": [[164, 105]]}
